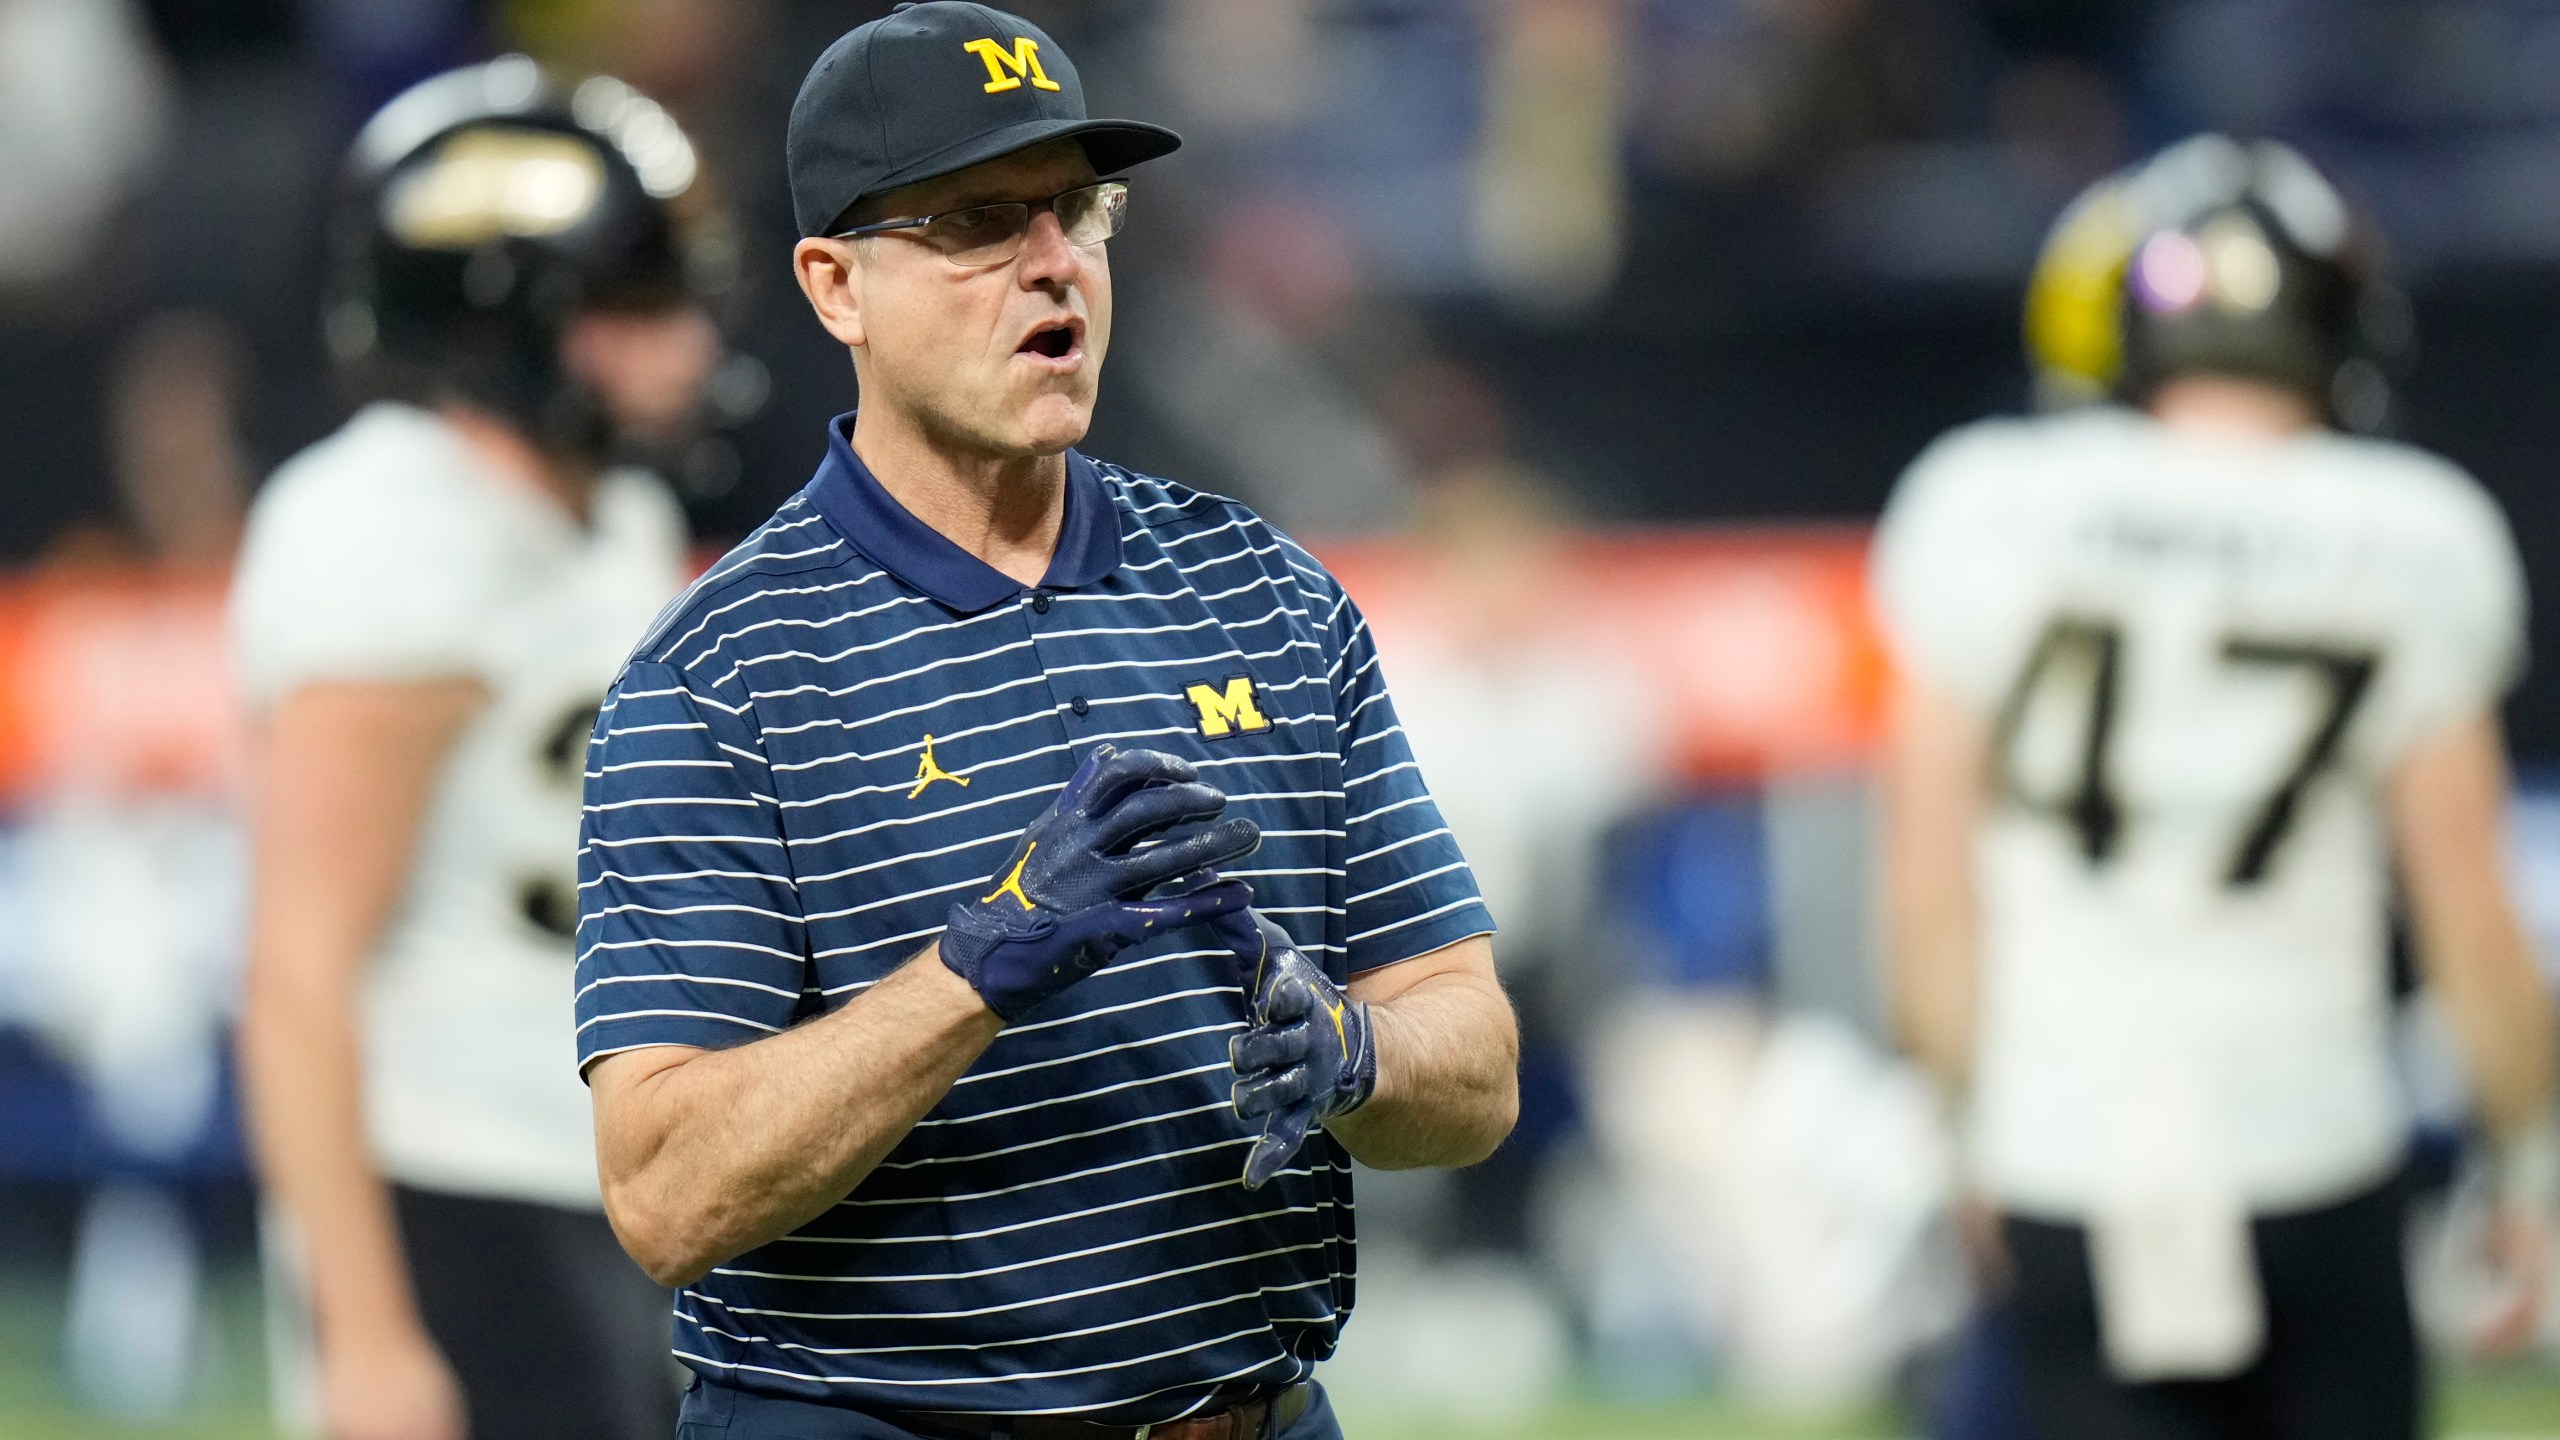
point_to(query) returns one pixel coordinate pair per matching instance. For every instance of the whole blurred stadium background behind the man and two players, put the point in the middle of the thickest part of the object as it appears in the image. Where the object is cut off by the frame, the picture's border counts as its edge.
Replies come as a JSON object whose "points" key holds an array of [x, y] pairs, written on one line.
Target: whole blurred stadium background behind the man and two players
{"points": [[1583, 337]]}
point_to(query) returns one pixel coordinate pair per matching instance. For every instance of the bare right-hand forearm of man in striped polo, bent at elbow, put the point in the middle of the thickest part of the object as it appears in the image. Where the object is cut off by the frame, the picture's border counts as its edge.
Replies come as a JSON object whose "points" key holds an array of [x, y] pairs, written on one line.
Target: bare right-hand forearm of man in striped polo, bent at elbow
{"points": [[1448, 1077]]}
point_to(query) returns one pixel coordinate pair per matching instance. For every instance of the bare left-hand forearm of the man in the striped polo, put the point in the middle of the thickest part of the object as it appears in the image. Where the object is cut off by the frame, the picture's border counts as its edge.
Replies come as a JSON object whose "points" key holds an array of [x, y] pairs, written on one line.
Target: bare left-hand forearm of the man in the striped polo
{"points": [[733, 1149]]}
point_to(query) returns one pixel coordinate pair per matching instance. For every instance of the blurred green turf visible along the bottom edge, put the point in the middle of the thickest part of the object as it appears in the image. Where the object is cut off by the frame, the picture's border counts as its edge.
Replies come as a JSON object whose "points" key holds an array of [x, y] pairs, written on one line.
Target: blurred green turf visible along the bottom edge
{"points": [[2513, 1405]]}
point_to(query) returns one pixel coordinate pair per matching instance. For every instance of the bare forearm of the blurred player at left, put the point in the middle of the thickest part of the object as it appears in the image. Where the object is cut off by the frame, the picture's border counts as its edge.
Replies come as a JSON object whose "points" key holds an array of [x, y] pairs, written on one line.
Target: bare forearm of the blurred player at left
{"points": [[306, 1103]]}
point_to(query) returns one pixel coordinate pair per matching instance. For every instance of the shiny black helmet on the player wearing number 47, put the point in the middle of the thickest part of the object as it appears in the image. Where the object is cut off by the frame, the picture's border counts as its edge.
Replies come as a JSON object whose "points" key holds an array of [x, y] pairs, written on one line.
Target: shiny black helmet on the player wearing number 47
{"points": [[2216, 258]]}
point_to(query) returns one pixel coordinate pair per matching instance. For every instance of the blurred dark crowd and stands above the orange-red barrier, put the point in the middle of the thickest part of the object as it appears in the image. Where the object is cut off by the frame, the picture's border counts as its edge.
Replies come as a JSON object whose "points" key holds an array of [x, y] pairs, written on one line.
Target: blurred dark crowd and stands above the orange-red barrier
{"points": [[1796, 224]]}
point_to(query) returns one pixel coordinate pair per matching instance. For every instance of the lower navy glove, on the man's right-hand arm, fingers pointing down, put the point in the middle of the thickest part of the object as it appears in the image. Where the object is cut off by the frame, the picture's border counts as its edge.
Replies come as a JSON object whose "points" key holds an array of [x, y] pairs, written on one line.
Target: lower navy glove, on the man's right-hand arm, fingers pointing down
{"points": [[1309, 1052]]}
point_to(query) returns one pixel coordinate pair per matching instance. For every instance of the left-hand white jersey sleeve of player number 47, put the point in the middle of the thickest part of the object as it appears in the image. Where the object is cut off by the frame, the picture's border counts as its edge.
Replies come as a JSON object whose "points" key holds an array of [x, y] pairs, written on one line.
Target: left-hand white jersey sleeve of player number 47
{"points": [[1947, 565]]}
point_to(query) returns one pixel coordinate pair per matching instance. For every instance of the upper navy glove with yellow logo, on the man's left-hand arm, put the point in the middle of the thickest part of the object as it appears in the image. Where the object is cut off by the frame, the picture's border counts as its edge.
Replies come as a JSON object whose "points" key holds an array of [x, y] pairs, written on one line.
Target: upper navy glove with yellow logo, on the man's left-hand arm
{"points": [[1074, 893]]}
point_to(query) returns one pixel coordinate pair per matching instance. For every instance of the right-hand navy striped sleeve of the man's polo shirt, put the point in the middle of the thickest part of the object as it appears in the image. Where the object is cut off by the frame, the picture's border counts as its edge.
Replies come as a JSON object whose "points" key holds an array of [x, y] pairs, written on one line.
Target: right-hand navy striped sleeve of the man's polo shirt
{"points": [[1409, 888]]}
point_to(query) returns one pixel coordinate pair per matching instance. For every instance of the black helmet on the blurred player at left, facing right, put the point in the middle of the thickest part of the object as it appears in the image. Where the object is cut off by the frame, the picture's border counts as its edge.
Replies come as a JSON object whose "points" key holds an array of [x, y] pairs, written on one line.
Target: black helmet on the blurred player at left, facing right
{"points": [[483, 211]]}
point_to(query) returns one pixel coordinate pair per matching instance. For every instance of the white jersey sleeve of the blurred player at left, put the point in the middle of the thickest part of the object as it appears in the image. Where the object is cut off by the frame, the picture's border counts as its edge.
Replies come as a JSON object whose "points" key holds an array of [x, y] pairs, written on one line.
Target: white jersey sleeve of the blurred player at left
{"points": [[360, 578]]}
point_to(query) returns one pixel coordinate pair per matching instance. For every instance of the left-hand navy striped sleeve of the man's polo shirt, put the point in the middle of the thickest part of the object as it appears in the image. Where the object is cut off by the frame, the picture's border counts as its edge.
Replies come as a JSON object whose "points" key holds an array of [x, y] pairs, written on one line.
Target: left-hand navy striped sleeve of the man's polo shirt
{"points": [[690, 926]]}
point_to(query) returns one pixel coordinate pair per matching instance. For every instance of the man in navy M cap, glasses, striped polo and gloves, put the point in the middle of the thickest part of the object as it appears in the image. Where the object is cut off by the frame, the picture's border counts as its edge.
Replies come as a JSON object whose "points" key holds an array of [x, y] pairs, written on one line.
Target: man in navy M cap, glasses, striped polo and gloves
{"points": [[933, 1049]]}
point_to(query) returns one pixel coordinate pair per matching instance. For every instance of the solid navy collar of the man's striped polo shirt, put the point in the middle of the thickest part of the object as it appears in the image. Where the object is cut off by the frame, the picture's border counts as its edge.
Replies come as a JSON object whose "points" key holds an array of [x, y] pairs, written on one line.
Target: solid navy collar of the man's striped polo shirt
{"points": [[872, 521]]}
